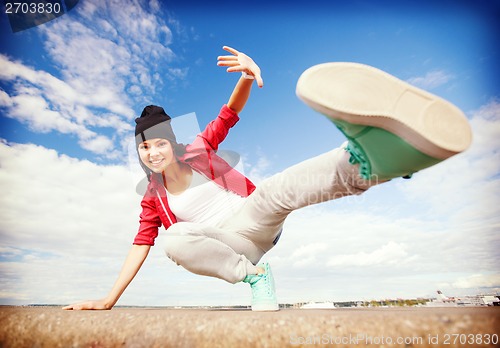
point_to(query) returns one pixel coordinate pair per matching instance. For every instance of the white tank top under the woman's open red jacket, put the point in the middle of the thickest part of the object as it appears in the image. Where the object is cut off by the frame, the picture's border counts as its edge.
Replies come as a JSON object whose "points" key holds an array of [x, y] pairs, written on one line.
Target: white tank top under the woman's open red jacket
{"points": [[204, 202]]}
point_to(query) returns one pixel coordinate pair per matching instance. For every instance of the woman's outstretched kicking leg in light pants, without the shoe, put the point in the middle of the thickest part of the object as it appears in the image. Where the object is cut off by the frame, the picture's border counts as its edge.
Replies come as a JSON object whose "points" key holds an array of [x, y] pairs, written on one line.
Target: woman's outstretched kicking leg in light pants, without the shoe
{"points": [[319, 179]]}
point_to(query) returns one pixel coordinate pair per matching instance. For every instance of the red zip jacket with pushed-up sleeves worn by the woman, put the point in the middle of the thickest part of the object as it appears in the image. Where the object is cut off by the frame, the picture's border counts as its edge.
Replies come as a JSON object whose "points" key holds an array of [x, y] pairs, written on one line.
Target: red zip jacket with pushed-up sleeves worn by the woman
{"points": [[200, 156]]}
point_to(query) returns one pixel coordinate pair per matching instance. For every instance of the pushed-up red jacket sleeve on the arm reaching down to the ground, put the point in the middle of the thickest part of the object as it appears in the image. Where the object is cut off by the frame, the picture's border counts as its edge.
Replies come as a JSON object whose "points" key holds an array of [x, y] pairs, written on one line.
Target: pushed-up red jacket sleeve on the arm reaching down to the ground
{"points": [[149, 223]]}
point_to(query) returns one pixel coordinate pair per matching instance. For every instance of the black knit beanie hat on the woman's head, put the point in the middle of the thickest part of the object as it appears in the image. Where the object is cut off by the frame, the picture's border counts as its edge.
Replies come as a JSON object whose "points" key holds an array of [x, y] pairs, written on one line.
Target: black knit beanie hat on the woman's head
{"points": [[153, 123]]}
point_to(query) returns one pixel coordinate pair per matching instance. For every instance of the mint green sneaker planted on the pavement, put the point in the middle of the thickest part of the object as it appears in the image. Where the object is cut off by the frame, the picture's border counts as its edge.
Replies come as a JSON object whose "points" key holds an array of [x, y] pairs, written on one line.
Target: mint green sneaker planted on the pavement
{"points": [[263, 290]]}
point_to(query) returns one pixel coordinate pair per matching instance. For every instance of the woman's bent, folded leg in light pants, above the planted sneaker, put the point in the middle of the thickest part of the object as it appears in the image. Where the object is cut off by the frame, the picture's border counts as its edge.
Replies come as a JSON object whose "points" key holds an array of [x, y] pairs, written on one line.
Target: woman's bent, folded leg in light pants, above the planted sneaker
{"points": [[211, 251]]}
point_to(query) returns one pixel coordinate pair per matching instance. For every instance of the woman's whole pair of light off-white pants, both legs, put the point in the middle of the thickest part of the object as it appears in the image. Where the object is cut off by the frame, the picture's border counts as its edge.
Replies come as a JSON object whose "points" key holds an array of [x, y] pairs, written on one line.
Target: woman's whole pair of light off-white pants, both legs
{"points": [[231, 249]]}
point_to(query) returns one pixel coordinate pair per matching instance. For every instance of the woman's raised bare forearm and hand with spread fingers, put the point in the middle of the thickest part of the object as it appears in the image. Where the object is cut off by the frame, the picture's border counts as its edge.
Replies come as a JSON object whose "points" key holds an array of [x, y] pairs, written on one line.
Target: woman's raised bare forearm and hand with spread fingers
{"points": [[240, 62]]}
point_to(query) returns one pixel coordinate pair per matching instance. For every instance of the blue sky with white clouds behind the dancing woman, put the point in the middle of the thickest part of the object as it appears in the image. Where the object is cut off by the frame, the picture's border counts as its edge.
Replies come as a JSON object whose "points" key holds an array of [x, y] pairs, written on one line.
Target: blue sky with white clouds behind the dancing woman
{"points": [[70, 89]]}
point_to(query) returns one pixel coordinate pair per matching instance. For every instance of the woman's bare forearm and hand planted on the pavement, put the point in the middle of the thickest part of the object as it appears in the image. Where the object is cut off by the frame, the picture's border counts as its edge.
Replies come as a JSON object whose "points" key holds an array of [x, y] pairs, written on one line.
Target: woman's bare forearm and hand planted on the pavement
{"points": [[133, 263]]}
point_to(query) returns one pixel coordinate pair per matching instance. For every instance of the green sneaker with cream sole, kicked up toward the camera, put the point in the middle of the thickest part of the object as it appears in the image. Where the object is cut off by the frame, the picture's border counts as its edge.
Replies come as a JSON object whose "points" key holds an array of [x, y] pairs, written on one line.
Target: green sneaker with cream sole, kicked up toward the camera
{"points": [[394, 129]]}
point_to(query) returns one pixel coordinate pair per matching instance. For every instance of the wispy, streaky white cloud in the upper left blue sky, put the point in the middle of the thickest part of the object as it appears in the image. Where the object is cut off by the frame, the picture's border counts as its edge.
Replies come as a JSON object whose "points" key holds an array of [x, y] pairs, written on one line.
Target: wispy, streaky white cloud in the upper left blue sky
{"points": [[101, 50]]}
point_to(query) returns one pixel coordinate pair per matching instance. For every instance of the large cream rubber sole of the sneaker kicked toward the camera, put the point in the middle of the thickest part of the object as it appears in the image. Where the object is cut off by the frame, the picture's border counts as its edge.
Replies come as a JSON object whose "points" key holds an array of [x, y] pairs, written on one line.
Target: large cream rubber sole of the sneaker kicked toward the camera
{"points": [[363, 95]]}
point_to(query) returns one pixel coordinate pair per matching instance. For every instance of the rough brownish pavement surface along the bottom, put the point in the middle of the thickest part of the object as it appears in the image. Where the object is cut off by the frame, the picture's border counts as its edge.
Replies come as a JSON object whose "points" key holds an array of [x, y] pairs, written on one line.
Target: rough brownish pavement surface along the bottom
{"points": [[157, 327]]}
